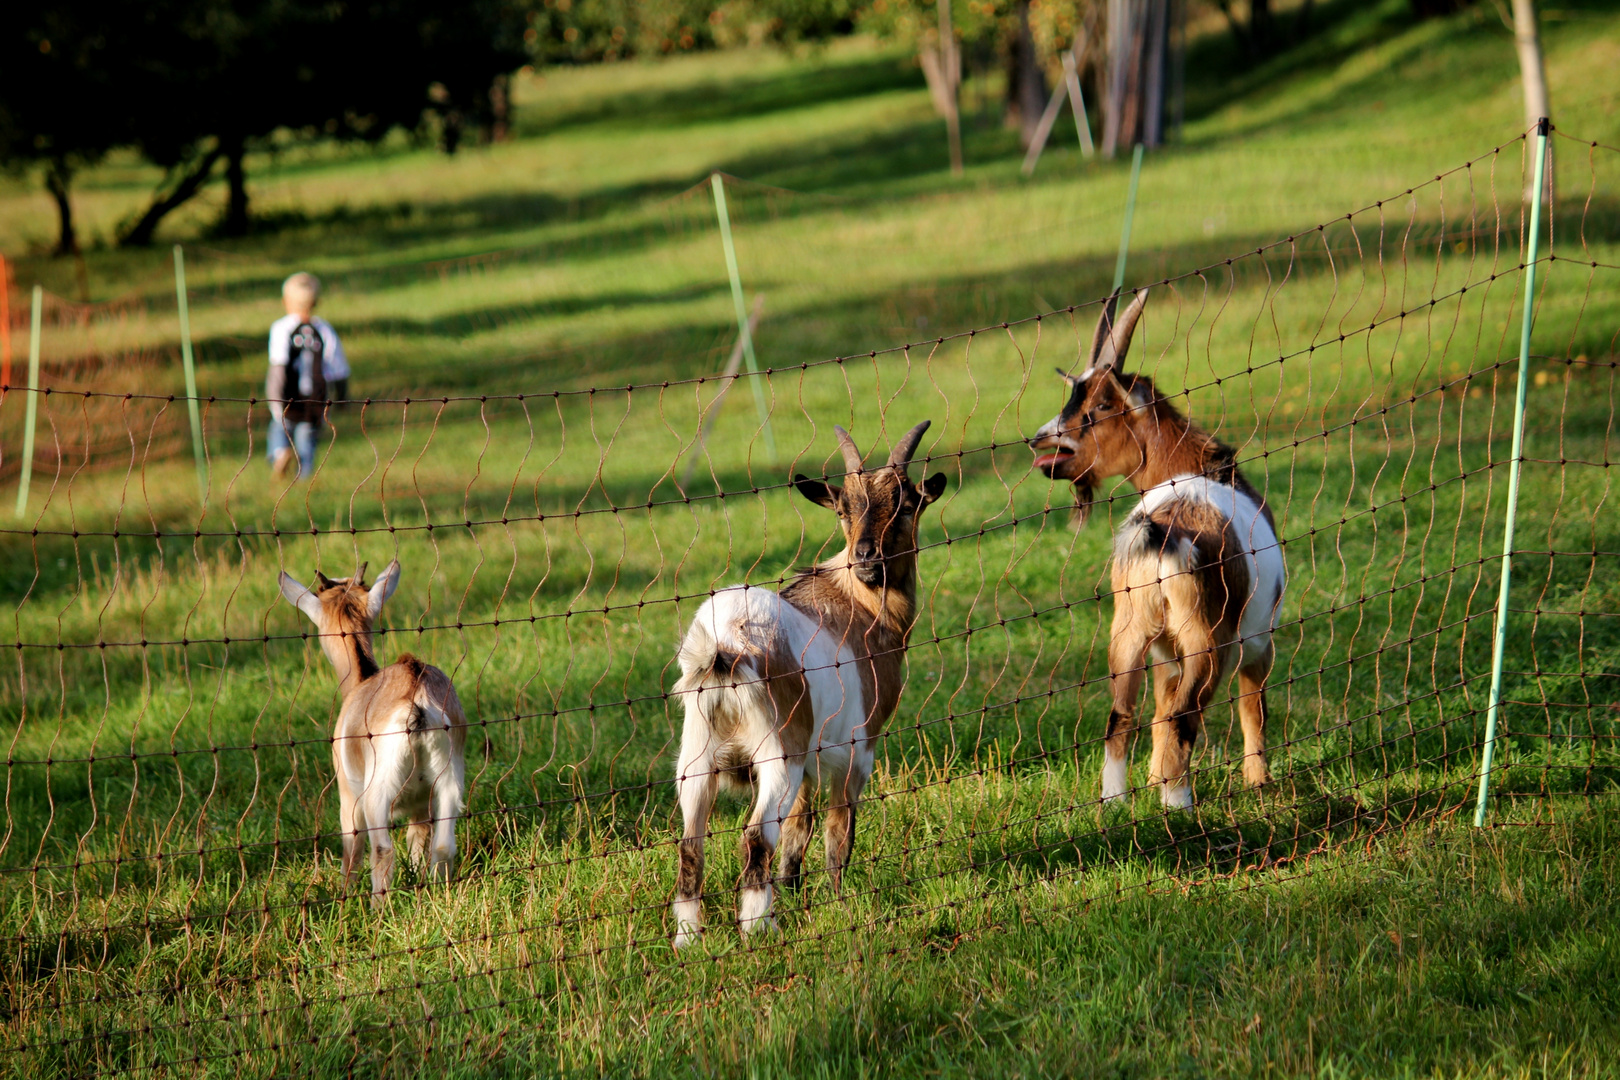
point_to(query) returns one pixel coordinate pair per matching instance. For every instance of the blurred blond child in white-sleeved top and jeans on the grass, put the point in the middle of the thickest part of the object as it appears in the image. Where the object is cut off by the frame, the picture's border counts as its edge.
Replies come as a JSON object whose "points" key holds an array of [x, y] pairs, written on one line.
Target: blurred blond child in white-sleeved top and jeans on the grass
{"points": [[307, 372]]}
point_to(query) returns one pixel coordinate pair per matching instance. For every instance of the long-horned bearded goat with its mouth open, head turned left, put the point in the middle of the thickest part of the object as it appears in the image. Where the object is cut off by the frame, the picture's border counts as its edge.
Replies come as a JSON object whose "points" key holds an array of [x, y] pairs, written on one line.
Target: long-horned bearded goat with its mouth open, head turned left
{"points": [[1198, 572]]}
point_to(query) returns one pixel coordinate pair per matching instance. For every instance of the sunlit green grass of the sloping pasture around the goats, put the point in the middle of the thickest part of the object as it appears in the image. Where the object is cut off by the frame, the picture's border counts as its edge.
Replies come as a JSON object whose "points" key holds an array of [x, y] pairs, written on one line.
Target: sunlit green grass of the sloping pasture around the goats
{"points": [[531, 325]]}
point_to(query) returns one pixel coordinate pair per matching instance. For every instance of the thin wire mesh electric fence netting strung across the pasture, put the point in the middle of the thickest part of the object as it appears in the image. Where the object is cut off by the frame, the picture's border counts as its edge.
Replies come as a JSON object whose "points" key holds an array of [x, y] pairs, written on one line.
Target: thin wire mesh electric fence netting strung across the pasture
{"points": [[174, 901]]}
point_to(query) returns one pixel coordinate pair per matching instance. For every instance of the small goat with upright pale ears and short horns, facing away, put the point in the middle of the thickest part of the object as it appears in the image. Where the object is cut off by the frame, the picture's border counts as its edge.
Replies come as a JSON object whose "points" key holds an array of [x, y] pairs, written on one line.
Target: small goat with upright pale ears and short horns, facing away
{"points": [[401, 734]]}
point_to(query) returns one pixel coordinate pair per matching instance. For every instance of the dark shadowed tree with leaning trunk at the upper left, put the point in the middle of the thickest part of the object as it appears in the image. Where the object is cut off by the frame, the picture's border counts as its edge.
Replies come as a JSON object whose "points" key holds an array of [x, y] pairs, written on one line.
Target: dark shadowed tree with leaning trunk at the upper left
{"points": [[190, 83]]}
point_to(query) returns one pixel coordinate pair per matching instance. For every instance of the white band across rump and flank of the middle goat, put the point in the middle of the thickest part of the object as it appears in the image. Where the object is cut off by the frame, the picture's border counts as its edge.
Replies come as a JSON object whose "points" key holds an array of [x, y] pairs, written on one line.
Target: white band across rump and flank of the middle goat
{"points": [[754, 621]]}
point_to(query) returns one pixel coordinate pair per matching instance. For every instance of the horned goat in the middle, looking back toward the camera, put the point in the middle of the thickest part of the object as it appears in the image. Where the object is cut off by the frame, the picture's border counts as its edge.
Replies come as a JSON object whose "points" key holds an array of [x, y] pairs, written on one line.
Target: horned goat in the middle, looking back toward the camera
{"points": [[795, 686]]}
